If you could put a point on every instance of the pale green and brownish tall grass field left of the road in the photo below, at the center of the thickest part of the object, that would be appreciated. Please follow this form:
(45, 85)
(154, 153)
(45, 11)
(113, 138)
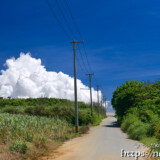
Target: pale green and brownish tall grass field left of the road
(21, 133)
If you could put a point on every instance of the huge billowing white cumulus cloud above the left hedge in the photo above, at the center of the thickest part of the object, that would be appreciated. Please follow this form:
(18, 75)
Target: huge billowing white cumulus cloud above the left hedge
(26, 77)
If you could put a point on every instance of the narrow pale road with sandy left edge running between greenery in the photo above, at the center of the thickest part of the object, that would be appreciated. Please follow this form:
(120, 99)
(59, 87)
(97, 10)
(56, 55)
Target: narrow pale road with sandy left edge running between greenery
(103, 142)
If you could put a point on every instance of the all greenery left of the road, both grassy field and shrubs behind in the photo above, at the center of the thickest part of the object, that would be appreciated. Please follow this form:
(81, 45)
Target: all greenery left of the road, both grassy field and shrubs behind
(30, 126)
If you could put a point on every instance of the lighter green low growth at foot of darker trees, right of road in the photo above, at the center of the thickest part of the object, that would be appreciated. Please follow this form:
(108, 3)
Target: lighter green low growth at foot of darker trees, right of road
(146, 133)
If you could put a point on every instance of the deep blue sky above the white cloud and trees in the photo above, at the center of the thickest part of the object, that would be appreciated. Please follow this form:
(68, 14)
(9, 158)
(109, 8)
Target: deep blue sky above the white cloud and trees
(122, 37)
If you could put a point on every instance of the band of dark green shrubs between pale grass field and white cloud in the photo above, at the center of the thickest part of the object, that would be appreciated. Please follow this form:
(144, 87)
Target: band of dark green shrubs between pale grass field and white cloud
(51, 107)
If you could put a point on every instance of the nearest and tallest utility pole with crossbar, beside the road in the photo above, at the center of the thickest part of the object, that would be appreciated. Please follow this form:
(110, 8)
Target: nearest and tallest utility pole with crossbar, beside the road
(74, 42)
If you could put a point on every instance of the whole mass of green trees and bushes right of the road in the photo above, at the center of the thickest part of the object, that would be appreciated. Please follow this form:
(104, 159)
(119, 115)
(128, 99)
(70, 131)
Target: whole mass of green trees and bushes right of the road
(137, 107)
